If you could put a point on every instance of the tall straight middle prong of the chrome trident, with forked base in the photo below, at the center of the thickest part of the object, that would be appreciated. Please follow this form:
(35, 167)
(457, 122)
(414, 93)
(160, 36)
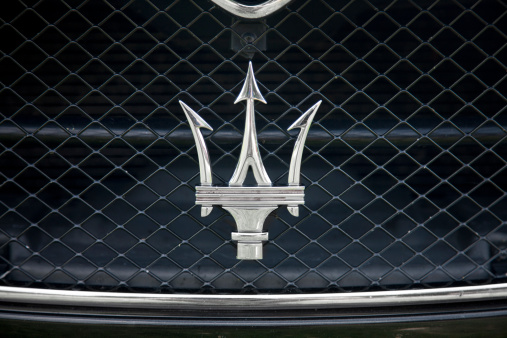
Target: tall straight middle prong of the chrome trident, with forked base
(250, 155)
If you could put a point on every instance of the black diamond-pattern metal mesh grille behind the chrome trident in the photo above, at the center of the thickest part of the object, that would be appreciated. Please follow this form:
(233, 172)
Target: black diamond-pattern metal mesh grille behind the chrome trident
(405, 165)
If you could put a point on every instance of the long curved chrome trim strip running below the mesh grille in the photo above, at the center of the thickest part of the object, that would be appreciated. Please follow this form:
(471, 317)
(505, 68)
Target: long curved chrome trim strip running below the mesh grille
(252, 302)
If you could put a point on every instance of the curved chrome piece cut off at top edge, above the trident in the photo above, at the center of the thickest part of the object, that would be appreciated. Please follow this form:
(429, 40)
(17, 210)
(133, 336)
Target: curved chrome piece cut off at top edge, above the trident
(251, 12)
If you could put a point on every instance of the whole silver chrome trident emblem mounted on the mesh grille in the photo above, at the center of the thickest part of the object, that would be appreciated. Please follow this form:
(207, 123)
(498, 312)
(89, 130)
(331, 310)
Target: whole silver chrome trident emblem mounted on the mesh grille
(249, 205)
